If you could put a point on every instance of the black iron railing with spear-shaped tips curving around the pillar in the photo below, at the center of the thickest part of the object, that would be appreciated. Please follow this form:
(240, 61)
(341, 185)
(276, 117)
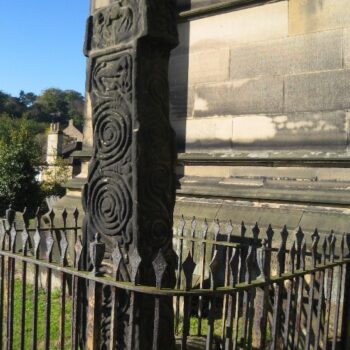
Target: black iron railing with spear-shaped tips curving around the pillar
(234, 290)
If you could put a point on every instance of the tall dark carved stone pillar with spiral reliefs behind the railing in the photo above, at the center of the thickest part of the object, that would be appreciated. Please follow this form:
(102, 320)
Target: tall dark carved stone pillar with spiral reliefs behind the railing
(130, 194)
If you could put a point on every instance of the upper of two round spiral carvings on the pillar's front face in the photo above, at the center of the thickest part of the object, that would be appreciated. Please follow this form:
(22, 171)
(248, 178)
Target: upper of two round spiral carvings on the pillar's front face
(112, 132)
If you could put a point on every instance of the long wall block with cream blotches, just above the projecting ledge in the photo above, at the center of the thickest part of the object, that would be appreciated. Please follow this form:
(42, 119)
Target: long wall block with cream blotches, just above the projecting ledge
(319, 129)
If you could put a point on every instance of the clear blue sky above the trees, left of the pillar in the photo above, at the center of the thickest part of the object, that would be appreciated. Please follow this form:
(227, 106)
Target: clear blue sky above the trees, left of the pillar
(41, 43)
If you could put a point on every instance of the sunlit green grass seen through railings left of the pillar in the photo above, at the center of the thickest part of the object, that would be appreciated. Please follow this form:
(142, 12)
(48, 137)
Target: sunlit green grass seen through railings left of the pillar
(55, 318)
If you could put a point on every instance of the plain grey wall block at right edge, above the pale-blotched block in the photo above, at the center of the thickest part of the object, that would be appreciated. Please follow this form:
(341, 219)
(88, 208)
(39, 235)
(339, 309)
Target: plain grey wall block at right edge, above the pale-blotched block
(318, 91)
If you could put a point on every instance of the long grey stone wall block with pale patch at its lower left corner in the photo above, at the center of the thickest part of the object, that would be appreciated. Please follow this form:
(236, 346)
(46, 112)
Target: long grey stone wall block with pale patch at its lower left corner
(245, 96)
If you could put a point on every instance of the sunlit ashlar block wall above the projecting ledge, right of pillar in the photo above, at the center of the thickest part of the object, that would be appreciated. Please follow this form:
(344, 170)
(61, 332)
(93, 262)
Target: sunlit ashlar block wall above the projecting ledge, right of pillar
(272, 76)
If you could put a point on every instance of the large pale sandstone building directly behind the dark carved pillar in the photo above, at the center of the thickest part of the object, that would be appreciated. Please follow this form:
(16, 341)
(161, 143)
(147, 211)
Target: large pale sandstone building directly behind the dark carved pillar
(260, 99)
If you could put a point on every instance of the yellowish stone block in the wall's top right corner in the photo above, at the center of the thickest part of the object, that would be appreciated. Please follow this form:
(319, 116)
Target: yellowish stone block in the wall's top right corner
(307, 16)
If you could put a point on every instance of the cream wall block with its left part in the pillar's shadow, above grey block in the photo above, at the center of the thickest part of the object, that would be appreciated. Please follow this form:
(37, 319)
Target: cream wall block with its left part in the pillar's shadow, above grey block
(200, 67)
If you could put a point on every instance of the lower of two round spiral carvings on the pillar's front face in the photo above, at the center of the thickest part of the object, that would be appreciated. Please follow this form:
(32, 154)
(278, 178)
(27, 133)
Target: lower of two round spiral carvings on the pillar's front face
(110, 204)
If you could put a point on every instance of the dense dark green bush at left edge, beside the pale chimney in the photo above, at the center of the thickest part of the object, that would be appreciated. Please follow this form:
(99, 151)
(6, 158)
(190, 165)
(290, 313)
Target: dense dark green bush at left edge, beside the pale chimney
(19, 166)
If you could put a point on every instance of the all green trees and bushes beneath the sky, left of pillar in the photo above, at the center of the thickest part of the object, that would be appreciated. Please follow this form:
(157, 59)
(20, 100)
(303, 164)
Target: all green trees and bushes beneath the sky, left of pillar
(23, 124)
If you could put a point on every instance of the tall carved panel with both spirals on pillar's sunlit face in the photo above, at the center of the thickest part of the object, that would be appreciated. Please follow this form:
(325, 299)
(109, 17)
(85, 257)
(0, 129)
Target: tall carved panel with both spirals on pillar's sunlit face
(108, 194)
